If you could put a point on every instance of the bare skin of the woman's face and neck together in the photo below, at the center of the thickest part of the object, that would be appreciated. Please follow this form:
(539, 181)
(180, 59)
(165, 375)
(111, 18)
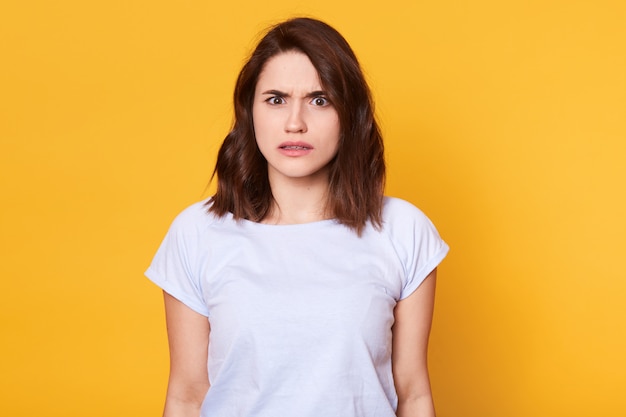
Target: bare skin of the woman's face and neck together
(290, 107)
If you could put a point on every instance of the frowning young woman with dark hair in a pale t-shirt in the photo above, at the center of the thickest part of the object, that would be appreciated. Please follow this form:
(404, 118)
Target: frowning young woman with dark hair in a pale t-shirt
(298, 289)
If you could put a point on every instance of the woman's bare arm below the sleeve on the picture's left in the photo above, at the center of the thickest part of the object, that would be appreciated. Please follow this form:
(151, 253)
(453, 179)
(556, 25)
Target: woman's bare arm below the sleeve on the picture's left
(188, 335)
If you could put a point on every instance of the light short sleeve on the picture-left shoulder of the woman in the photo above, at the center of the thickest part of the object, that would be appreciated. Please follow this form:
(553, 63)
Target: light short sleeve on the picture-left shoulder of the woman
(174, 267)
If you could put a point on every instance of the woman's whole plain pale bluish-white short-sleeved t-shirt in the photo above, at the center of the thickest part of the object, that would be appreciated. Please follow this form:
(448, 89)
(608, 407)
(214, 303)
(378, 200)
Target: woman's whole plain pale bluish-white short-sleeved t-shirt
(300, 314)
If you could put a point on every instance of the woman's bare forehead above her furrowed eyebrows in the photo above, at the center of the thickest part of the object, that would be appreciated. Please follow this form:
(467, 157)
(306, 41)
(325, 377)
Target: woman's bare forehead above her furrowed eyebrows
(289, 70)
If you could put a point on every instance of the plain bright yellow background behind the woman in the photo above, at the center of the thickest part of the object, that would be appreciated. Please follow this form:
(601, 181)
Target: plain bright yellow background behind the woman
(504, 121)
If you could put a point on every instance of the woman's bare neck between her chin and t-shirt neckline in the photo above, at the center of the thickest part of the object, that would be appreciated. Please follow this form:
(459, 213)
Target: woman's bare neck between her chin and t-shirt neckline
(299, 200)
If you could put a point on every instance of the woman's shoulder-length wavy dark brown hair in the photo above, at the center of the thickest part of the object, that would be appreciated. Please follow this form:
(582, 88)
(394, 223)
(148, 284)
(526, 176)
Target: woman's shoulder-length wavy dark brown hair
(356, 174)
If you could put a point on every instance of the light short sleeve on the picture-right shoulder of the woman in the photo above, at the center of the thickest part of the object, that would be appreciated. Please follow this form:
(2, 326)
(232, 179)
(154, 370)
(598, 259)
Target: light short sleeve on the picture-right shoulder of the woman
(417, 243)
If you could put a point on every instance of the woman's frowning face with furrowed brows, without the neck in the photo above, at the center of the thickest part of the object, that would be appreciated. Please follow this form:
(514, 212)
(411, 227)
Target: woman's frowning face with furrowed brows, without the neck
(296, 126)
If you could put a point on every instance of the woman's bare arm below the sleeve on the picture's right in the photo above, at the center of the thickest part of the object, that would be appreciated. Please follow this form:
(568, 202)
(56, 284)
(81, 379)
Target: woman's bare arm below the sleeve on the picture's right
(413, 317)
